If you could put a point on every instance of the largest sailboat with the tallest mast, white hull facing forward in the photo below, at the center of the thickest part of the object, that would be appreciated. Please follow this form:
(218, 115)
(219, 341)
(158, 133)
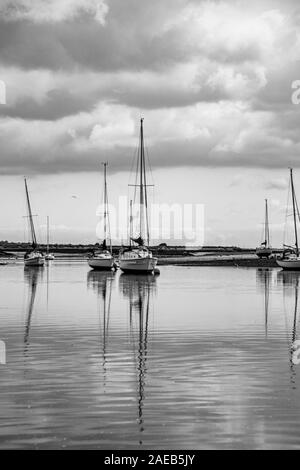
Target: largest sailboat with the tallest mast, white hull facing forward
(139, 258)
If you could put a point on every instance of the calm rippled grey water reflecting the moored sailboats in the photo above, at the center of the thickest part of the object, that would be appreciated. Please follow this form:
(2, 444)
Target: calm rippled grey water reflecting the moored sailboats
(194, 358)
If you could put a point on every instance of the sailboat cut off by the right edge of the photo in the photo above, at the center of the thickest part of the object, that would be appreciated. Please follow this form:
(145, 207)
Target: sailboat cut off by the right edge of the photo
(290, 258)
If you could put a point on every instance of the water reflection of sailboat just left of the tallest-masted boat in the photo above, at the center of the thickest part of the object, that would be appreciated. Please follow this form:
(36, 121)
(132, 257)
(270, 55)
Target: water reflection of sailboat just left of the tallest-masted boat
(101, 283)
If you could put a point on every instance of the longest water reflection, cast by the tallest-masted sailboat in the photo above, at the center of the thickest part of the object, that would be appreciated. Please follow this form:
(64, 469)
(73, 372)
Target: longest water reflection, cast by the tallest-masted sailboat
(138, 289)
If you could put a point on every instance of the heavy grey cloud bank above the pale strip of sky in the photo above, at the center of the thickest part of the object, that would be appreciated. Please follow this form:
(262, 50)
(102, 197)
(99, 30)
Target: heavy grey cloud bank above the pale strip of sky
(213, 79)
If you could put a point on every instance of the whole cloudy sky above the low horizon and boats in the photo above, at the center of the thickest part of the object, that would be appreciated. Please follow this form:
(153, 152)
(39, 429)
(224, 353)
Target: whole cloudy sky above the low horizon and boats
(213, 81)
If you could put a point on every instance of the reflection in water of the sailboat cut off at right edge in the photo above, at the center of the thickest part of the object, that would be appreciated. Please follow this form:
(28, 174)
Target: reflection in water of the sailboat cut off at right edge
(291, 279)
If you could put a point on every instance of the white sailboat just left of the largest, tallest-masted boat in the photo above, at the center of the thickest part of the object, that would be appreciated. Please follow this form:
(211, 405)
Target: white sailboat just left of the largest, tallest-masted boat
(103, 258)
